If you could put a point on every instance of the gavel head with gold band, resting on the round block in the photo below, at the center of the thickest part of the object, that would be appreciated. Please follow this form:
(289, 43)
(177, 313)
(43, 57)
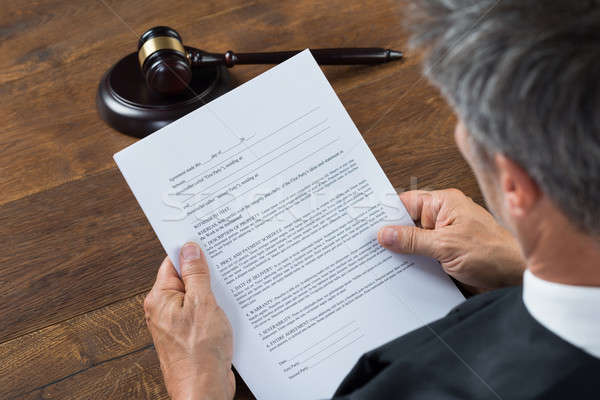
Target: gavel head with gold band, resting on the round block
(164, 61)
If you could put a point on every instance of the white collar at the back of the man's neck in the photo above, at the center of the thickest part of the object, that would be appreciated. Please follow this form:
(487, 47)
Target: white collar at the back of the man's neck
(570, 312)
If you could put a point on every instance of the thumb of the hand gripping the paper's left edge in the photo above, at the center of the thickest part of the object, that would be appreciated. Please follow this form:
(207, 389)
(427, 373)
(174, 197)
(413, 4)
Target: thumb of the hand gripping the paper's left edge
(194, 269)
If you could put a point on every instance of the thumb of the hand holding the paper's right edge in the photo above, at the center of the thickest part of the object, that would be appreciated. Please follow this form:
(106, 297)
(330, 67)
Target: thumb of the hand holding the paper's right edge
(409, 240)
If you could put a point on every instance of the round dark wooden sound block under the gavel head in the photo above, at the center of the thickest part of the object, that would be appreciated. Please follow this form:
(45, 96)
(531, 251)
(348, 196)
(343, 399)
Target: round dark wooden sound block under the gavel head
(128, 105)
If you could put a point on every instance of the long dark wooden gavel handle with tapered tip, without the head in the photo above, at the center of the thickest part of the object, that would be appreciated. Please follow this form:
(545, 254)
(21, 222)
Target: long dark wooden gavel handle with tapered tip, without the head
(339, 56)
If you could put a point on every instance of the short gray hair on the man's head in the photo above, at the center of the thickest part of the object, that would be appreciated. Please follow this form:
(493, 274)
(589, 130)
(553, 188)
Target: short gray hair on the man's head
(524, 76)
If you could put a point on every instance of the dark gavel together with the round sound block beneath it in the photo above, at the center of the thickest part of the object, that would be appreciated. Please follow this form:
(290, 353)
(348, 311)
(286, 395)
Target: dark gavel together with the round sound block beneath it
(176, 79)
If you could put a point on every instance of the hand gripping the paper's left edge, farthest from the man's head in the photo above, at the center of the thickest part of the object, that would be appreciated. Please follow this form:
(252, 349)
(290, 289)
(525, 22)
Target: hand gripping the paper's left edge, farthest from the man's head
(191, 333)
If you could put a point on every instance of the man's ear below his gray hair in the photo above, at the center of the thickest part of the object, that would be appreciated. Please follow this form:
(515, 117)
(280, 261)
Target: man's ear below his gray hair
(520, 192)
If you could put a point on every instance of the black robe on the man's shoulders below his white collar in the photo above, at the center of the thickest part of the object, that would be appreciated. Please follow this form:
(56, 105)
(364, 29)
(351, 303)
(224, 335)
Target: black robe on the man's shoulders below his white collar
(489, 347)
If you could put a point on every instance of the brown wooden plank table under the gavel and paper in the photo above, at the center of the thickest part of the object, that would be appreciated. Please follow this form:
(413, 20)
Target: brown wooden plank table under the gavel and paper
(77, 255)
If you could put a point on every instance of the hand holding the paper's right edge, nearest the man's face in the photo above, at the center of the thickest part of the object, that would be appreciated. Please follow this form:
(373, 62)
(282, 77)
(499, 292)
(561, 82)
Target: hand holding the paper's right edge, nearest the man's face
(471, 246)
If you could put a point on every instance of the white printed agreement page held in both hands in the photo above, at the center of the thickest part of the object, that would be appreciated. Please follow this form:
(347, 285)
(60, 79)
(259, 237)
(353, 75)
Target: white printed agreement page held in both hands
(275, 182)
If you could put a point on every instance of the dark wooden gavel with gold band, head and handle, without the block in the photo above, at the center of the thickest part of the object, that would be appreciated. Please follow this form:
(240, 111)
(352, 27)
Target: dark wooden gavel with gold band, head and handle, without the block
(167, 64)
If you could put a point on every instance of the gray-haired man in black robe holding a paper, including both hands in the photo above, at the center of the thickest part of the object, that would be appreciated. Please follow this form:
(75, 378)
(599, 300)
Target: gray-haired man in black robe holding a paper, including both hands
(524, 81)
